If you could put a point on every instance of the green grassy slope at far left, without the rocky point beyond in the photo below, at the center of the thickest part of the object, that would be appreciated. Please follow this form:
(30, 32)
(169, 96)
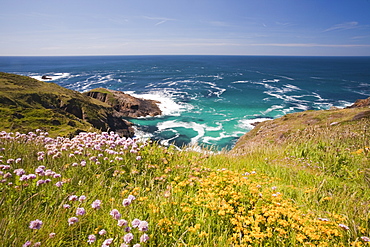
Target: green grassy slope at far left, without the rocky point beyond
(27, 104)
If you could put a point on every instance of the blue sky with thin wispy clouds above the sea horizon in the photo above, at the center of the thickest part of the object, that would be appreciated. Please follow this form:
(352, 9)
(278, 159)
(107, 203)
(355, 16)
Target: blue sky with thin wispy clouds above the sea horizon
(191, 27)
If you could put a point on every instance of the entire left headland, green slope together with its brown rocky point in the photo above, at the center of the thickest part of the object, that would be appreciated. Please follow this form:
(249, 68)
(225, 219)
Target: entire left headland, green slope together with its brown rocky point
(27, 104)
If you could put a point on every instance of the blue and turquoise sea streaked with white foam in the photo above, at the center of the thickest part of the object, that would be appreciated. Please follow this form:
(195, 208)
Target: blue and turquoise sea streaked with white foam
(209, 100)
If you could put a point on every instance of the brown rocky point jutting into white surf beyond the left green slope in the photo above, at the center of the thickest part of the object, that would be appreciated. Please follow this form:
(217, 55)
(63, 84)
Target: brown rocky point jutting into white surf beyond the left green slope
(125, 104)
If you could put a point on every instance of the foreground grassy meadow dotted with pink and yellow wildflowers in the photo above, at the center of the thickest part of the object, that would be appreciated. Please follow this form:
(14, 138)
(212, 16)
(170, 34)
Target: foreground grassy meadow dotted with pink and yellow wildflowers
(99, 189)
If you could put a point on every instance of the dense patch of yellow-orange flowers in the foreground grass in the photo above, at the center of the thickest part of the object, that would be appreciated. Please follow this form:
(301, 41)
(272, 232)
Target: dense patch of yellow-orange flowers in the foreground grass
(257, 213)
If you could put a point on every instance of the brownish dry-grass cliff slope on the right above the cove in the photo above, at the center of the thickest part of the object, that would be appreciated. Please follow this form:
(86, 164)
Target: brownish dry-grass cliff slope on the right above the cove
(284, 130)
